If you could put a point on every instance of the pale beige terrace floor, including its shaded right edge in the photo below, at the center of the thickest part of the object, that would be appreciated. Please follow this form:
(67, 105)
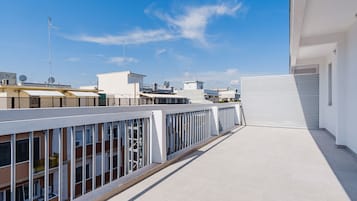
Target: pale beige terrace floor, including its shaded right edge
(257, 163)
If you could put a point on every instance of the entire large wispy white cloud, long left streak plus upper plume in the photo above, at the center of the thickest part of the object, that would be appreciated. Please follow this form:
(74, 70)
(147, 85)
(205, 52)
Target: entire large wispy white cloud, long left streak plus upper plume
(190, 24)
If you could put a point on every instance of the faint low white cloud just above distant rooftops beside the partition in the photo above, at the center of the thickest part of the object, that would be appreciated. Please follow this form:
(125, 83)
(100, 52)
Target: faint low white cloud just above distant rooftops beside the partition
(213, 79)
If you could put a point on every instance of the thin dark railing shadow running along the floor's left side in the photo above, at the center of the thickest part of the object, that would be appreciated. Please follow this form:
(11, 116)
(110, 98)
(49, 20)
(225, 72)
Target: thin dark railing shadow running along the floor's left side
(192, 157)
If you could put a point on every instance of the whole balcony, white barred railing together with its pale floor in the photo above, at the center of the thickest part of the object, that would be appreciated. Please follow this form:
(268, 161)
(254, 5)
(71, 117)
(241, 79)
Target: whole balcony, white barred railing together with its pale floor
(165, 148)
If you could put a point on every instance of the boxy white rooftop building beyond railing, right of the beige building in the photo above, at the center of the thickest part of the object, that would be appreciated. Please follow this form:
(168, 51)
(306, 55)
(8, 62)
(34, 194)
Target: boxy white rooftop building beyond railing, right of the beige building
(121, 84)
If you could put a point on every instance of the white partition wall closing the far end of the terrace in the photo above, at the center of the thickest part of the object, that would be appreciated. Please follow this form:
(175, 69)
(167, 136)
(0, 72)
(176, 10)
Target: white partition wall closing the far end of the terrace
(281, 101)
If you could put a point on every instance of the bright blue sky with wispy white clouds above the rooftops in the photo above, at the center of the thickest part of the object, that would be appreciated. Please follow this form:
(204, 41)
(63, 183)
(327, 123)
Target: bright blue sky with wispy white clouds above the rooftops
(215, 41)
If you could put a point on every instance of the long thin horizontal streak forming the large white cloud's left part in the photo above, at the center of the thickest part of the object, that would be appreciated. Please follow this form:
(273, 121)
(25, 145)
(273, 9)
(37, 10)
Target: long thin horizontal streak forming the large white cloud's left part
(134, 37)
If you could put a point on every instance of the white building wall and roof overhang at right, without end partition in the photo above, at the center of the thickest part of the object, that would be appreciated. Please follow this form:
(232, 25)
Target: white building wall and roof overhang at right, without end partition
(324, 34)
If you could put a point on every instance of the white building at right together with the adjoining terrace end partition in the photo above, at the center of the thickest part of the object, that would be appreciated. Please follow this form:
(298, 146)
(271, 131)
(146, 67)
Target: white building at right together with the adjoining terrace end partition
(321, 91)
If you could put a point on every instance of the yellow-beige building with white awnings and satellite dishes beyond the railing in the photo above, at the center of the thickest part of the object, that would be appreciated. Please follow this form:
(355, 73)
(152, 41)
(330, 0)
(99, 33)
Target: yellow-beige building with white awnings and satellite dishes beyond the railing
(39, 95)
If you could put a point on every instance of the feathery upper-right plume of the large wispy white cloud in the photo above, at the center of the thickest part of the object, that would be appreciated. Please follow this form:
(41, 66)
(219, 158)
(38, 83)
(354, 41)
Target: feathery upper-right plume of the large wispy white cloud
(193, 22)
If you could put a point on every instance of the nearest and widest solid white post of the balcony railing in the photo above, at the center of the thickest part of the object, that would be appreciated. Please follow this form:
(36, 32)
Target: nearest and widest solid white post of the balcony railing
(158, 136)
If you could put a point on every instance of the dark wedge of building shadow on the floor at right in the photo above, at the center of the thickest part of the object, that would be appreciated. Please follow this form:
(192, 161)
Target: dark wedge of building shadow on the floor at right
(341, 160)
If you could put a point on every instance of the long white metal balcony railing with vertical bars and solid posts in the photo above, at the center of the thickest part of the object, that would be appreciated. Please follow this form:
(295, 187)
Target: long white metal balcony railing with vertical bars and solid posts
(92, 149)
